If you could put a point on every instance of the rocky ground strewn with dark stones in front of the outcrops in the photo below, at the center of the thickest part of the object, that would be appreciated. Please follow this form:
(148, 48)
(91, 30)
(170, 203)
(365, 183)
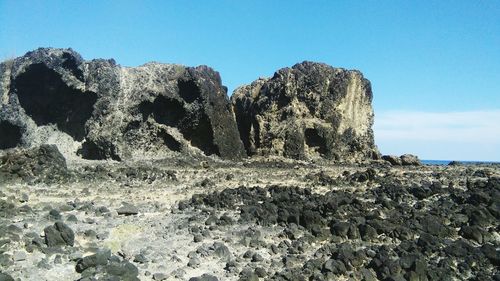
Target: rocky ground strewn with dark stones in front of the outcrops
(206, 219)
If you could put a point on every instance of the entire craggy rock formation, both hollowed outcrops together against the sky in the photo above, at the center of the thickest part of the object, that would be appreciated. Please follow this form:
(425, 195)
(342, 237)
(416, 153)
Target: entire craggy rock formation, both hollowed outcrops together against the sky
(100, 110)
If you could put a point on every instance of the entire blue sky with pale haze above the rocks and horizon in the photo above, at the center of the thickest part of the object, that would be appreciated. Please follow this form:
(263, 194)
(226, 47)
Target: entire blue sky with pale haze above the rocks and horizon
(434, 65)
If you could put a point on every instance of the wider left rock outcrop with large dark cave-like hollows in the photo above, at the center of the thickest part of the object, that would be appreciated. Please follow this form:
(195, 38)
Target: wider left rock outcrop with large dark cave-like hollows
(100, 110)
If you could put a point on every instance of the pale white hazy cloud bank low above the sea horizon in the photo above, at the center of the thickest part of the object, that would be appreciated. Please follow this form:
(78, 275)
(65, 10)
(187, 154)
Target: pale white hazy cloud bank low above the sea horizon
(469, 135)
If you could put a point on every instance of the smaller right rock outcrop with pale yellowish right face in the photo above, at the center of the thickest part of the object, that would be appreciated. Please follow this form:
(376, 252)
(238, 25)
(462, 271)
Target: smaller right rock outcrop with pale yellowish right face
(308, 111)
